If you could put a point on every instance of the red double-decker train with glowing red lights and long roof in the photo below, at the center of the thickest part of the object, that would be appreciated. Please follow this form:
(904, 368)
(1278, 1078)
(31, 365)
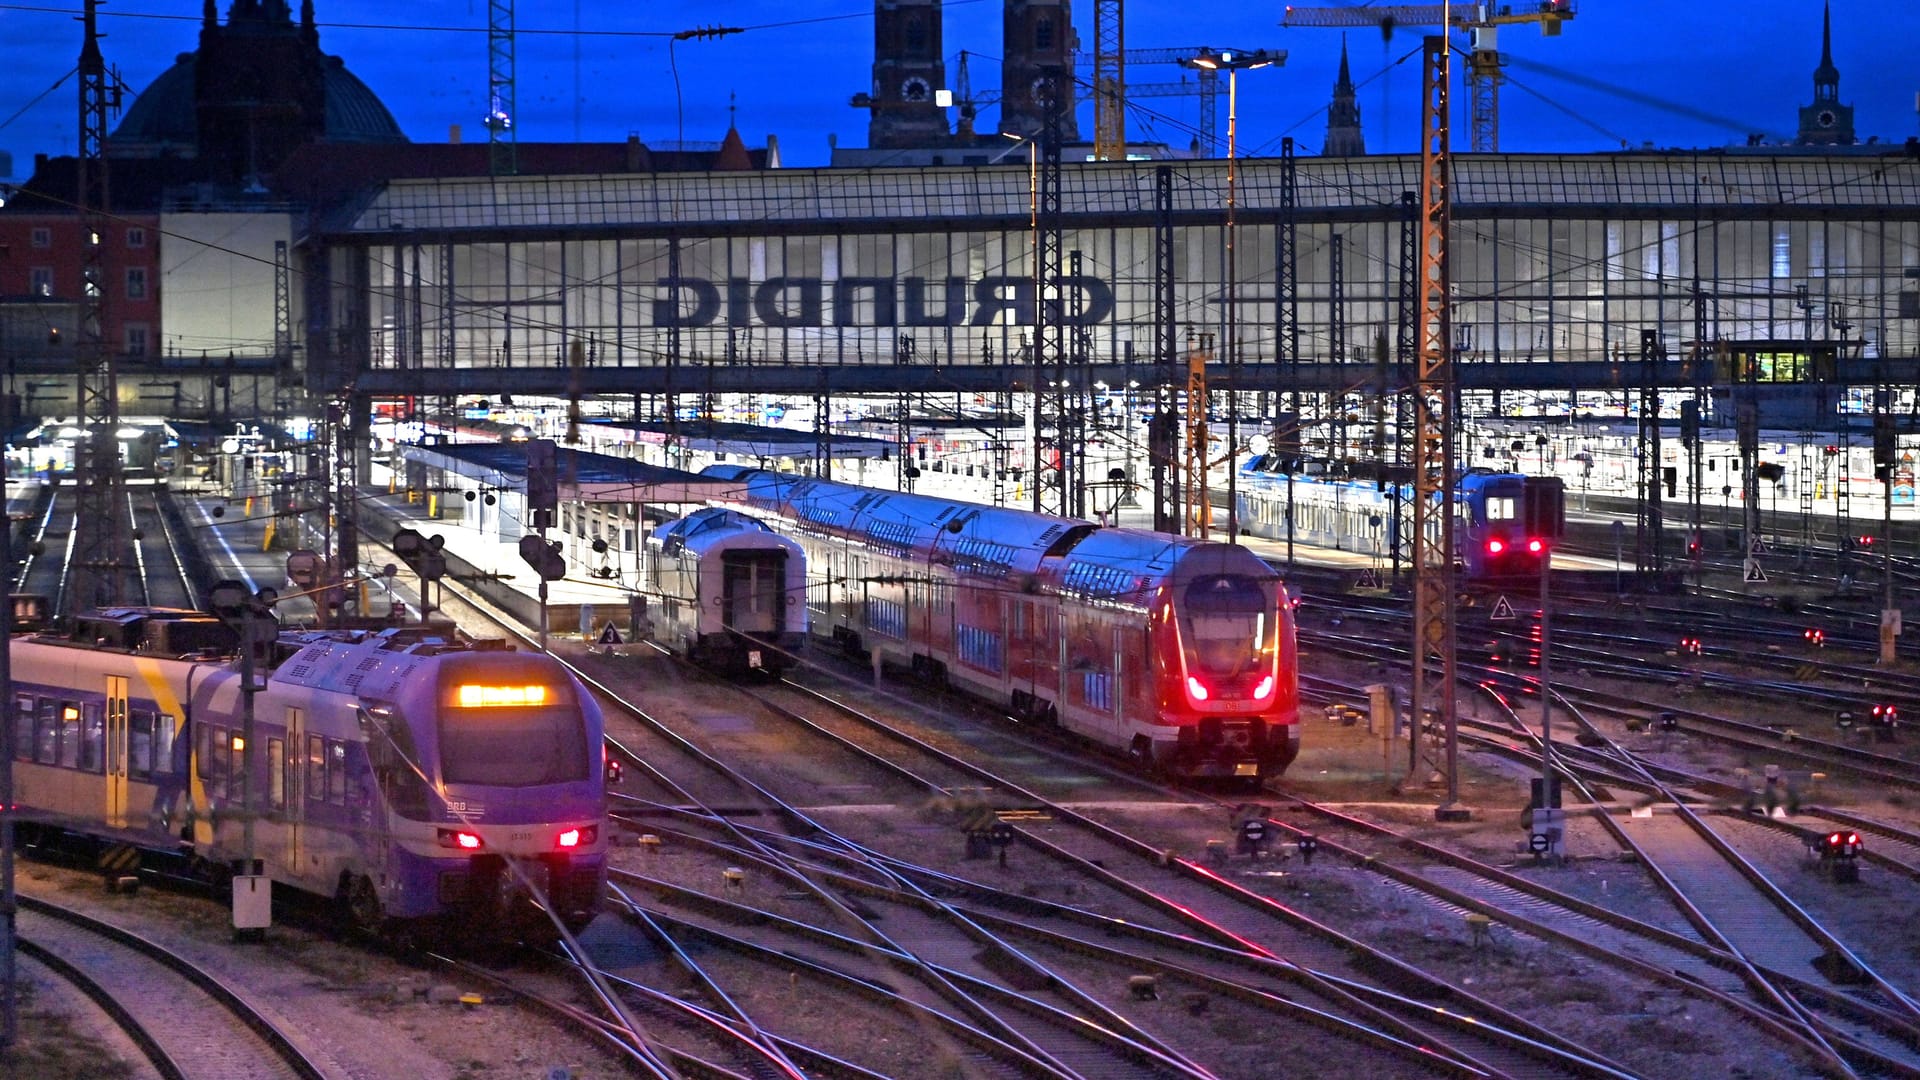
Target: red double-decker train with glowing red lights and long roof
(1174, 652)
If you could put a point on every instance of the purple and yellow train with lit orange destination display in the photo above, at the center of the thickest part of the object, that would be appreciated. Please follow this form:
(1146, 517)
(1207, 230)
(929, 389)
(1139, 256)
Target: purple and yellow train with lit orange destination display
(418, 783)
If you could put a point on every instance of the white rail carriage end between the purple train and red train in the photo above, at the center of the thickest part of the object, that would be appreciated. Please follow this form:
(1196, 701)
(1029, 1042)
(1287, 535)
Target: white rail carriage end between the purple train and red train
(727, 591)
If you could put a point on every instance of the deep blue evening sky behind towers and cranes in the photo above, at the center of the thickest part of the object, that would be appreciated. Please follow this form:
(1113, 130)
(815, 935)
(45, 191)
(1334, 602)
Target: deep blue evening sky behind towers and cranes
(1750, 64)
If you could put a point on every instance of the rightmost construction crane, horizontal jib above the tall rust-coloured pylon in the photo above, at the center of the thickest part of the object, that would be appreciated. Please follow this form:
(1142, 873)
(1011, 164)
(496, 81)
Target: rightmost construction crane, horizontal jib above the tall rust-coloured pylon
(1483, 53)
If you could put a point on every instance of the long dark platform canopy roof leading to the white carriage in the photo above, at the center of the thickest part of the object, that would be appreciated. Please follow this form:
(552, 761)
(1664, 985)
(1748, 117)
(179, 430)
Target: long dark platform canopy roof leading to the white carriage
(583, 476)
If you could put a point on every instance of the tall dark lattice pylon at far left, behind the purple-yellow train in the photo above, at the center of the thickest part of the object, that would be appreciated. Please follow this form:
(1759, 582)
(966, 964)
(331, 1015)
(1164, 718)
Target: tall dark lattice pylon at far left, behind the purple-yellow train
(99, 568)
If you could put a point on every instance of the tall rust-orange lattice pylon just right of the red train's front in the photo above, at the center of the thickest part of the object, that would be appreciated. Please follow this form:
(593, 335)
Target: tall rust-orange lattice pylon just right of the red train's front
(1433, 739)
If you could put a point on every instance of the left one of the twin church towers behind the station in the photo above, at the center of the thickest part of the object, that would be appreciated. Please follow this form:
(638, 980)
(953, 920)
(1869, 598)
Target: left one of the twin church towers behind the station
(907, 72)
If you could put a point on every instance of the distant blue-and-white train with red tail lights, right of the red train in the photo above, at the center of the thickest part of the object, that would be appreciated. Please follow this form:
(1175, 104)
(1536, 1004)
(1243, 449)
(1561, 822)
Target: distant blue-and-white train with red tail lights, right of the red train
(1491, 533)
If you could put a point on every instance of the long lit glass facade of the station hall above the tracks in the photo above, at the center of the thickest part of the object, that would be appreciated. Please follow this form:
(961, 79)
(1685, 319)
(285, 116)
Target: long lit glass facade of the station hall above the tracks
(1552, 258)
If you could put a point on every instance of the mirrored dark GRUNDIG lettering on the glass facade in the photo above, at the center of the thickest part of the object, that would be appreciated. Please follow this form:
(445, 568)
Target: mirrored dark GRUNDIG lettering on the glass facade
(875, 303)
